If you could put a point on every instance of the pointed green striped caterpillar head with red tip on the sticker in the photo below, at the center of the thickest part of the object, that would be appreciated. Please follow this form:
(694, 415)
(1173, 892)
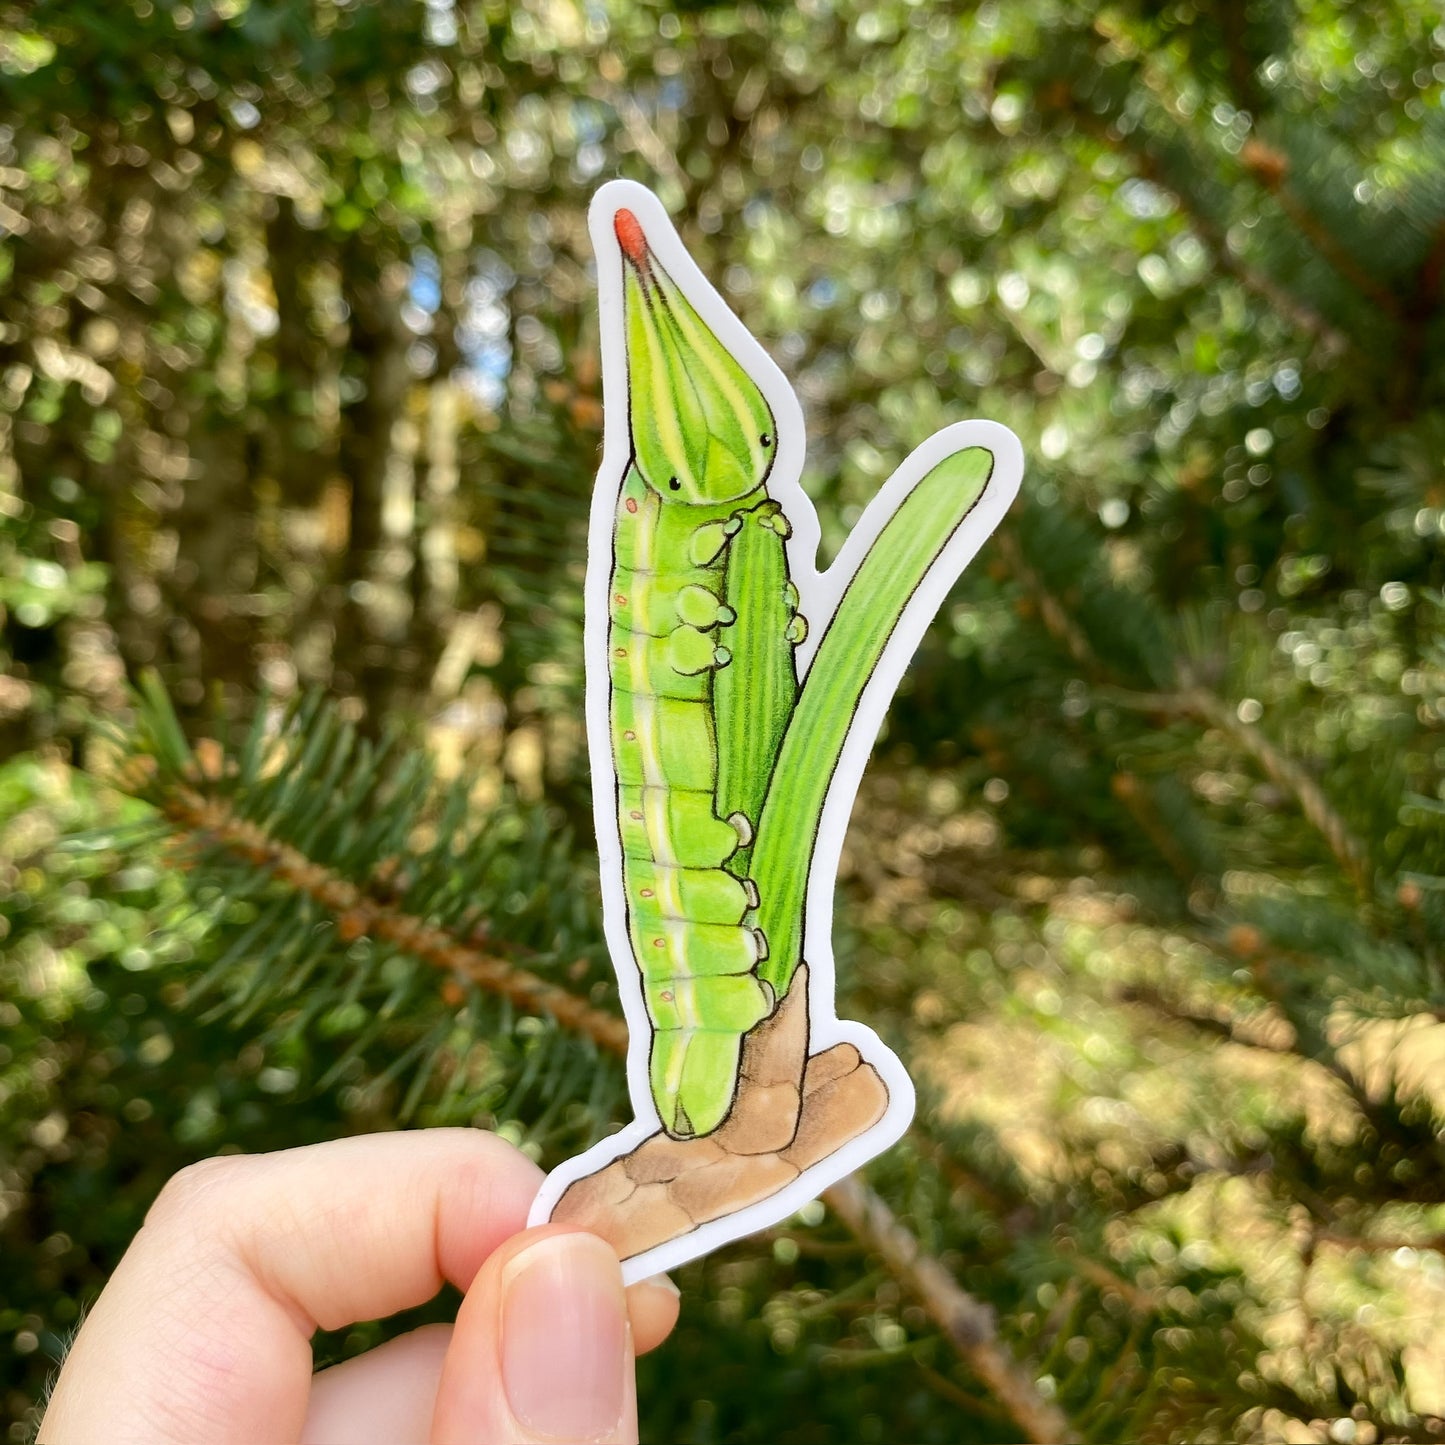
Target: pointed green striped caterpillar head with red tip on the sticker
(702, 430)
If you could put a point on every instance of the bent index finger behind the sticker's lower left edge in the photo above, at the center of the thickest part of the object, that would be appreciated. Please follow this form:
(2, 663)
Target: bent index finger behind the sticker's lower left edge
(204, 1330)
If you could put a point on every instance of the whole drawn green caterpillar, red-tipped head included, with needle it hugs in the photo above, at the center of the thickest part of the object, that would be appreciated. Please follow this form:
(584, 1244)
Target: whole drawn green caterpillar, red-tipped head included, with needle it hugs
(703, 622)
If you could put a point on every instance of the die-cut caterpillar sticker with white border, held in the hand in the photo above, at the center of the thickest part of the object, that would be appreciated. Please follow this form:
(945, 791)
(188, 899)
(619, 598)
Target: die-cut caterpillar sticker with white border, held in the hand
(733, 696)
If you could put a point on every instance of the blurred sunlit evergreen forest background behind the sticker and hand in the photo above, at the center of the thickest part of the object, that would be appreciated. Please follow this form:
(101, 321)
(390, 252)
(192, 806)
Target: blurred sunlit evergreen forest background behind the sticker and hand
(300, 415)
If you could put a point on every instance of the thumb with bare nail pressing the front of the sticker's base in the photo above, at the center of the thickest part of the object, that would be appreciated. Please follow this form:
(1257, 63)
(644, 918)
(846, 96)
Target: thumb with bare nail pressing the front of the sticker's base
(543, 1347)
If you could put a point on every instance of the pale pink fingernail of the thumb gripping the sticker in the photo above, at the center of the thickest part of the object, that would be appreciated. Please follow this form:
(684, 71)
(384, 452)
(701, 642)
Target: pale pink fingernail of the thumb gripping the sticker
(564, 1339)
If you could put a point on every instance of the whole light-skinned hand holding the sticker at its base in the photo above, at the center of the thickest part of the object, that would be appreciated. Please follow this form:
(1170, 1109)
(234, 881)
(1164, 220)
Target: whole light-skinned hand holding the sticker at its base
(204, 1332)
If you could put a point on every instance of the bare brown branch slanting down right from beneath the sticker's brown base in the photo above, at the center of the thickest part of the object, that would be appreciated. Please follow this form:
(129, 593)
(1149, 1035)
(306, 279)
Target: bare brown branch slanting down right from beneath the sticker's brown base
(969, 1324)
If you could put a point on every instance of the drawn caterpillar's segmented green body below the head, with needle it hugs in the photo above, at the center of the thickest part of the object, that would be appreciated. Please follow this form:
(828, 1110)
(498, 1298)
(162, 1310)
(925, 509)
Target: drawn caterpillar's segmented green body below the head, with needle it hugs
(687, 735)
